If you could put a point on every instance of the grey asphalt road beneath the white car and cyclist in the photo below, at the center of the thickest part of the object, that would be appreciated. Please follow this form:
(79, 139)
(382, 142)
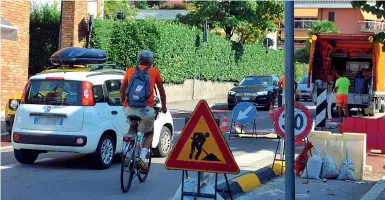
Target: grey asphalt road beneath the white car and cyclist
(69, 176)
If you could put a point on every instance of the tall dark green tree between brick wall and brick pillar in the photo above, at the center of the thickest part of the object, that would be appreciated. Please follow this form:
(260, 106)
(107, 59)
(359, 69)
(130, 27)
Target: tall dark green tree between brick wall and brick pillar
(44, 35)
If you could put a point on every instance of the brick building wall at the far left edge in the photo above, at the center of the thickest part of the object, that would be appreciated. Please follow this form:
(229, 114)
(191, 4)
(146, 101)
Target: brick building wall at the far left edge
(15, 48)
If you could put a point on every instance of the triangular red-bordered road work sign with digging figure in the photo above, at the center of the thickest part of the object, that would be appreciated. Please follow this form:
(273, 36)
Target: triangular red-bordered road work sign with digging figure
(201, 146)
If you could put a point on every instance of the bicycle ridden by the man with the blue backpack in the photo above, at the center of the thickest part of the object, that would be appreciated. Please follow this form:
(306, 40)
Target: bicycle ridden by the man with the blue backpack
(132, 144)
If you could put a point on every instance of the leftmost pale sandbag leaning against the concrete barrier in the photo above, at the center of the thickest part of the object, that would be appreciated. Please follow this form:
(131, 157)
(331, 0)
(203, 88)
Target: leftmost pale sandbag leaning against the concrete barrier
(314, 166)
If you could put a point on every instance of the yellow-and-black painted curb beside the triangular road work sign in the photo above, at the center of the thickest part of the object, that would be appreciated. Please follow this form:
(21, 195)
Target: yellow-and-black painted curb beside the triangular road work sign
(251, 180)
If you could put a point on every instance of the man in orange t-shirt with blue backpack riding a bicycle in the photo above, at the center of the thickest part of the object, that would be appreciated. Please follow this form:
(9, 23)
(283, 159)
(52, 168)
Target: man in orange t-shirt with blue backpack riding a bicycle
(137, 93)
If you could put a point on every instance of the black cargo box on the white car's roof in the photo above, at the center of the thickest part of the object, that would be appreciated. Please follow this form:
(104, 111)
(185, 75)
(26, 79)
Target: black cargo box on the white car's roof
(78, 56)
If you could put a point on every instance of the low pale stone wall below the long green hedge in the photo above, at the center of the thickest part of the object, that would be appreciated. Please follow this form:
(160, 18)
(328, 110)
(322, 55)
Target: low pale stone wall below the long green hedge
(197, 89)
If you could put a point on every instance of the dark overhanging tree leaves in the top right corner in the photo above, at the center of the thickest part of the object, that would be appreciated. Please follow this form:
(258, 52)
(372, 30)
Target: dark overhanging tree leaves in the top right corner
(376, 9)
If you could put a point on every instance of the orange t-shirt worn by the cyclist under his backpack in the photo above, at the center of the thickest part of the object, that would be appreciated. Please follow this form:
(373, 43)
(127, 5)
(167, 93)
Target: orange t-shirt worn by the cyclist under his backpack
(155, 78)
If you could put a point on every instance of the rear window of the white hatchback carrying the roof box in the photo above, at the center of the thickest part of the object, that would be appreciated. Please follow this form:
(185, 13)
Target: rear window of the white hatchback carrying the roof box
(54, 92)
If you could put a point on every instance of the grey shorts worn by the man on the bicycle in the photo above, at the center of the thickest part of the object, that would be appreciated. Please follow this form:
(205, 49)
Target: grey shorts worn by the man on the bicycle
(146, 114)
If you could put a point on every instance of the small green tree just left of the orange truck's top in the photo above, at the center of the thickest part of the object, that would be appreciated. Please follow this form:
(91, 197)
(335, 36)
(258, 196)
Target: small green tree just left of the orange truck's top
(303, 55)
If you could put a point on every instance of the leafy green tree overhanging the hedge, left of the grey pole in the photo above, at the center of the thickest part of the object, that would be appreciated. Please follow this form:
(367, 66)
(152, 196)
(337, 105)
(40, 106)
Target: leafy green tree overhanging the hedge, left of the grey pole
(245, 18)
